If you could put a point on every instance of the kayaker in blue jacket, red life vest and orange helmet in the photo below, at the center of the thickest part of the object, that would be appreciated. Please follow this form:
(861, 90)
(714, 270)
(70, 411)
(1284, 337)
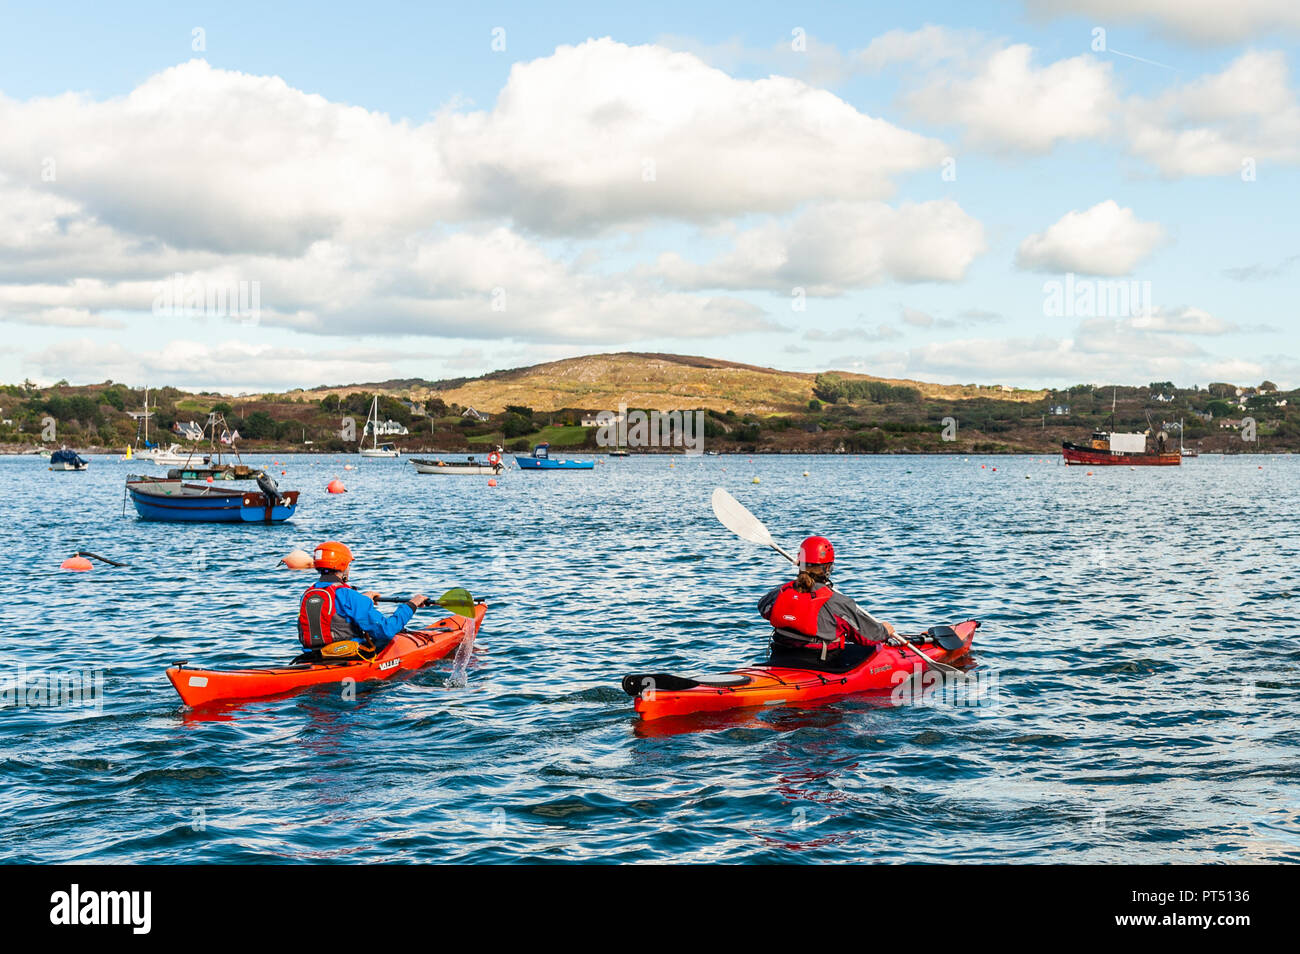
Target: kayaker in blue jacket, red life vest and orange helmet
(333, 612)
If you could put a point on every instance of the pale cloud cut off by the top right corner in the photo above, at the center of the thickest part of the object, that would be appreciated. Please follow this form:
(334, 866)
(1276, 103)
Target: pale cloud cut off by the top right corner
(1202, 21)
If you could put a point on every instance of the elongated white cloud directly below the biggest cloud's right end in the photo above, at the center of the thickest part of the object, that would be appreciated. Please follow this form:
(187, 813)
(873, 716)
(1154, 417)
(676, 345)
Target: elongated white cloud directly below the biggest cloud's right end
(834, 248)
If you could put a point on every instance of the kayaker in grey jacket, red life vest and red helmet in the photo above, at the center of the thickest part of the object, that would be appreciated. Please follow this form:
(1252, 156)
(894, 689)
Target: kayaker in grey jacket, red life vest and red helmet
(813, 626)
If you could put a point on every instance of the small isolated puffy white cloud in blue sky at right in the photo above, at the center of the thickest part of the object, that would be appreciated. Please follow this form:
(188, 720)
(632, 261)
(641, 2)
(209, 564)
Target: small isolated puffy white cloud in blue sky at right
(1103, 241)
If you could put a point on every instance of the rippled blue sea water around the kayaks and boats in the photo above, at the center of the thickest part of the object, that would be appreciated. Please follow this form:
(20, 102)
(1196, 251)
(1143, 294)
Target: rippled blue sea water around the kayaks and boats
(1142, 627)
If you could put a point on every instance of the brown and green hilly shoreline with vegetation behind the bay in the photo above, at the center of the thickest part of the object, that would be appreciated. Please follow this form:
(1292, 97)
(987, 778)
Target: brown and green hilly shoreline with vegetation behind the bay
(744, 407)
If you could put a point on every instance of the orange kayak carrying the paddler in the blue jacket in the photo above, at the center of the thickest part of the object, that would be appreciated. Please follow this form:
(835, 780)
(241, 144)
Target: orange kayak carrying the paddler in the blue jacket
(409, 651)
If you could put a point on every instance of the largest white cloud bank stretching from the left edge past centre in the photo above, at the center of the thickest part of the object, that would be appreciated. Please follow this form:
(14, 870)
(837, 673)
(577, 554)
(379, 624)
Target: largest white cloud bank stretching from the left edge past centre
(203, 158)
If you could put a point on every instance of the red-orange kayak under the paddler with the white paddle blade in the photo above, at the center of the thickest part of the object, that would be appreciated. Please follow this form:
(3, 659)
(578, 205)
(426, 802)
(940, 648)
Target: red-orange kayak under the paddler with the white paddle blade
(662, 695)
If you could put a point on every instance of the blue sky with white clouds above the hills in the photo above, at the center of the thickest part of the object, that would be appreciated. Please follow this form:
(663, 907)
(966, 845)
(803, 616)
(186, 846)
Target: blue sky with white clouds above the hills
(1047, 193)
